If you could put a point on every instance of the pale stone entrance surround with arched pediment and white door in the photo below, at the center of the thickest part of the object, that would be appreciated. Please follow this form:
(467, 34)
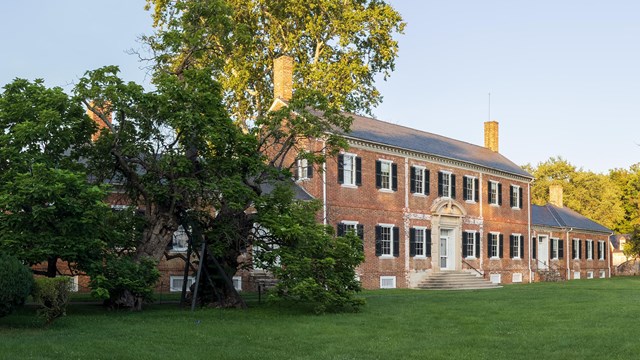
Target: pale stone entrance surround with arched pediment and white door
(446, 222)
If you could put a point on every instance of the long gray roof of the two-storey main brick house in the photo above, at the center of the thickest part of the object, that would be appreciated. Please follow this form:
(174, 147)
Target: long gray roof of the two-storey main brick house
(381, 132)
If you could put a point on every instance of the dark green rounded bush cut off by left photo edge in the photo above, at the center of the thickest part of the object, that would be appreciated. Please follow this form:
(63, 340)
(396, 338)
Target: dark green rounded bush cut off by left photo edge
(16, 282)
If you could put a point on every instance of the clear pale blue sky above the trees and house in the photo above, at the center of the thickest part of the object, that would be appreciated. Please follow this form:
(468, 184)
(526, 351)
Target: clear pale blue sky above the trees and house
(564, 76)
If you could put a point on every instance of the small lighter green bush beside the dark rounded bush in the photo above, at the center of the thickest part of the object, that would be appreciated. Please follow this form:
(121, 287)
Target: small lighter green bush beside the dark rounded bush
(52, 294)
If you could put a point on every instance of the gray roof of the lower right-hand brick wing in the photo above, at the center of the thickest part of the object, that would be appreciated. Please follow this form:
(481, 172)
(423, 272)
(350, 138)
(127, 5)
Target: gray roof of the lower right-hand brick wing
(550, 215)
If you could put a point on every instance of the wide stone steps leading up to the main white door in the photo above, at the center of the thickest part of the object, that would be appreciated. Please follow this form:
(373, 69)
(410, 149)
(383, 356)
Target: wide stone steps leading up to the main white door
(455, 280)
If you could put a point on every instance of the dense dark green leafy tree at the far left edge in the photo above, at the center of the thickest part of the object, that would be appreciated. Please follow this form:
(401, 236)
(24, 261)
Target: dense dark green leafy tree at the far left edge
(46, 203)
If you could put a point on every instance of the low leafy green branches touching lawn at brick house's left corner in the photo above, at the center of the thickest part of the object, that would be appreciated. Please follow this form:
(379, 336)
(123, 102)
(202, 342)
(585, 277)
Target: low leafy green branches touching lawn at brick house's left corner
(311, 265)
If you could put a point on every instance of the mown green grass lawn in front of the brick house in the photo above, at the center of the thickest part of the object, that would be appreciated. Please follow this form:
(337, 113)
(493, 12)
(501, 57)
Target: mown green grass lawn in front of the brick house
(582, 319)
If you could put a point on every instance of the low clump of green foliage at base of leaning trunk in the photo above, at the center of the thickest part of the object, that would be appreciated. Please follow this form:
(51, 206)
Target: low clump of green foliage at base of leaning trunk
(122, 276)
